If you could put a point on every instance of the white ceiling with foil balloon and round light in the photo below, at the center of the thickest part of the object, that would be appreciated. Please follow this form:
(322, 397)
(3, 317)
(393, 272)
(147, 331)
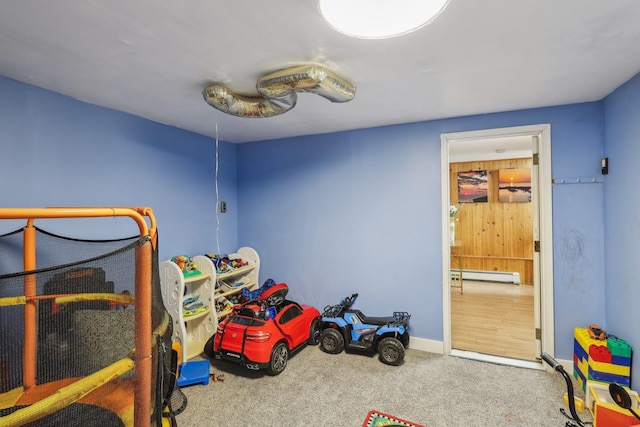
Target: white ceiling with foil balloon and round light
(153, 58)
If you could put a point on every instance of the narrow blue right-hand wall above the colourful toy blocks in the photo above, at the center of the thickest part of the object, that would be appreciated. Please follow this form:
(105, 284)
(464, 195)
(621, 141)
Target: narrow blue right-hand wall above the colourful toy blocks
(622, 213)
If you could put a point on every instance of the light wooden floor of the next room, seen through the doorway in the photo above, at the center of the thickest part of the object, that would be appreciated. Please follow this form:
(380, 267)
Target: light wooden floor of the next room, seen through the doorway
(494, 318)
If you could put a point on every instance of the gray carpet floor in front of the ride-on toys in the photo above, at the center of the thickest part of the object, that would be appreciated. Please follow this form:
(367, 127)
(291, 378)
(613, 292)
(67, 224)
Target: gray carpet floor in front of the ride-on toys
(318, 389)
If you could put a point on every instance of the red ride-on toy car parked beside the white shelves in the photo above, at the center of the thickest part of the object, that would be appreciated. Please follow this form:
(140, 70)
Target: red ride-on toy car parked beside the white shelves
(262, 333)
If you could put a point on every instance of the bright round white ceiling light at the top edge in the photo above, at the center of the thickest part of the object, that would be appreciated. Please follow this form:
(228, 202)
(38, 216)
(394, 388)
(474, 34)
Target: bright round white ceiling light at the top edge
(378, 19)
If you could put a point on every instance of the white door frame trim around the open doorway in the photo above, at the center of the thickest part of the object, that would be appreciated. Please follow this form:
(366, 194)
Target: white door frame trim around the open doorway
(544, 233)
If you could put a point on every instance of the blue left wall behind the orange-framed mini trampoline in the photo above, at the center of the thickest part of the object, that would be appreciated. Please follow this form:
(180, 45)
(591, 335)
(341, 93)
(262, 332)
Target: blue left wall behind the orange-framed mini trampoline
(57, 151)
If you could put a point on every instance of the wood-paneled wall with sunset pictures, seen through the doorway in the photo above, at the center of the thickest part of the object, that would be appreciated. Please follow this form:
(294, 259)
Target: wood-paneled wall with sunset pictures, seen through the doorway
(495, 236)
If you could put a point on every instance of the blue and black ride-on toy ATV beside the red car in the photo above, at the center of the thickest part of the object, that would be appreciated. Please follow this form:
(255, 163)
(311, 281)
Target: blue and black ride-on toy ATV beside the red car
(344, 328)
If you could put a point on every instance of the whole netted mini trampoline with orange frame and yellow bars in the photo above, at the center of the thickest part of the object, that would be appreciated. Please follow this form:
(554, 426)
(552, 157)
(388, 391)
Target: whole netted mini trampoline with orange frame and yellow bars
(84, 336)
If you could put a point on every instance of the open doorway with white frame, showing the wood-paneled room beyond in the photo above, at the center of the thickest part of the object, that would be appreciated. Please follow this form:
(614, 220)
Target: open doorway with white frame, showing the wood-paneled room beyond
(520, 230)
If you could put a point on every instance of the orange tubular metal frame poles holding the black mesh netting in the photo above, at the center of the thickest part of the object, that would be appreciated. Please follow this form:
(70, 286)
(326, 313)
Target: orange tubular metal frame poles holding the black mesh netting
(143, 342)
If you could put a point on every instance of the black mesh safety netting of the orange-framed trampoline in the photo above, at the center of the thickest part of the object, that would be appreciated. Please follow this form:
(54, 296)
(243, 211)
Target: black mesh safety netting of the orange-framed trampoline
(76, 337)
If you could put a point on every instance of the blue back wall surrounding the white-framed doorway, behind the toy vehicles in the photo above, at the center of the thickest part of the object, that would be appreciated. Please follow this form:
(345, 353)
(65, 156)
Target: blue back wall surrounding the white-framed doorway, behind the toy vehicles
(360, 212)
